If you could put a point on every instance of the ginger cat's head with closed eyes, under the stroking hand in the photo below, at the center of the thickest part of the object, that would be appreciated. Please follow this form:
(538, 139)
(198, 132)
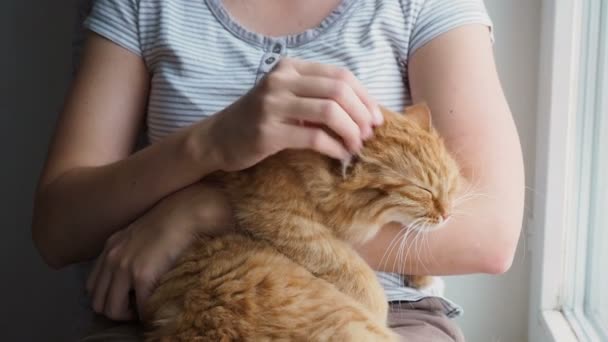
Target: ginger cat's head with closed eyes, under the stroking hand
(403, 174)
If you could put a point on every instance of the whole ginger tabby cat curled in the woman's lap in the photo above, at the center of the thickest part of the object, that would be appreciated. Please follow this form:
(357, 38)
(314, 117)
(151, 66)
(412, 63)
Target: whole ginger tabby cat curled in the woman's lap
(290, 273)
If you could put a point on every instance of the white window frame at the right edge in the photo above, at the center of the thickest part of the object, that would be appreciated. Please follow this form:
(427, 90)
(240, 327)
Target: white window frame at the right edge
(568, 57)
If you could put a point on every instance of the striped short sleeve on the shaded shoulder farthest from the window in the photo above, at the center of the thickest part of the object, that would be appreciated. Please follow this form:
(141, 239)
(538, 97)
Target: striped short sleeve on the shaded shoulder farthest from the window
(116, 20)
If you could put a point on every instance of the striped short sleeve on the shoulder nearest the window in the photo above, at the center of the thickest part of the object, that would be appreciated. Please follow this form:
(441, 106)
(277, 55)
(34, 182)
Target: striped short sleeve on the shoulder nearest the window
(440, 16)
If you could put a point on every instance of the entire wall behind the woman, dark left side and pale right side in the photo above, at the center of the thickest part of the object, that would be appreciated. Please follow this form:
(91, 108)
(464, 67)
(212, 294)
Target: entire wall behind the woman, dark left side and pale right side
(42, 305)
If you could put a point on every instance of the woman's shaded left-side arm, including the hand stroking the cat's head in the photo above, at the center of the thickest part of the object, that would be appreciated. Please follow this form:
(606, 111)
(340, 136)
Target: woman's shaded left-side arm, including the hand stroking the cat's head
(92, 186)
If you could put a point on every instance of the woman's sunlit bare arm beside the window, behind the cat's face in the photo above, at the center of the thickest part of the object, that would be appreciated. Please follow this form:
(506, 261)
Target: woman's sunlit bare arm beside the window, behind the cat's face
(456, 75)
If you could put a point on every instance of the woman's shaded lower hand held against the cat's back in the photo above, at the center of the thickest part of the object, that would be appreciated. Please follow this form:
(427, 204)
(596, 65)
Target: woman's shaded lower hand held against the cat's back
(134, 259)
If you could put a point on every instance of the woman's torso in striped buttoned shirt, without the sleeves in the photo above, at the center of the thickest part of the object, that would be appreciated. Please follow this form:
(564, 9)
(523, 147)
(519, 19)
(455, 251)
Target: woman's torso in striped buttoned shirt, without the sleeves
(201, 60)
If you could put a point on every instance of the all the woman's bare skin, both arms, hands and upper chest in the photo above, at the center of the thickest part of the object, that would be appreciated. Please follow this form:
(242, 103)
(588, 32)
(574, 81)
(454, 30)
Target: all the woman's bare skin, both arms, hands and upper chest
(94, 190)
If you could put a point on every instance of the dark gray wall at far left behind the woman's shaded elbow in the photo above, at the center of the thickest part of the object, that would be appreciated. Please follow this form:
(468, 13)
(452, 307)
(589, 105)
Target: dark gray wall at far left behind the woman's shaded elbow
(37, 304)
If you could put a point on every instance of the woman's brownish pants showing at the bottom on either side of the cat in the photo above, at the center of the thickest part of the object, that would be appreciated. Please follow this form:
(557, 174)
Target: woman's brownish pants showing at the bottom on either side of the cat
(421, 321)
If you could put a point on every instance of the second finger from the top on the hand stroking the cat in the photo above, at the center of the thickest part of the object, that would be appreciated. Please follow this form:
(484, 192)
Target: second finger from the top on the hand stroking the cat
(340, 92)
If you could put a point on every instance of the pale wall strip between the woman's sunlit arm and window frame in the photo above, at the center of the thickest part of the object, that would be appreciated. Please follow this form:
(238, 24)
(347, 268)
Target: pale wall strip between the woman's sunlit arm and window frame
(496, 308)
